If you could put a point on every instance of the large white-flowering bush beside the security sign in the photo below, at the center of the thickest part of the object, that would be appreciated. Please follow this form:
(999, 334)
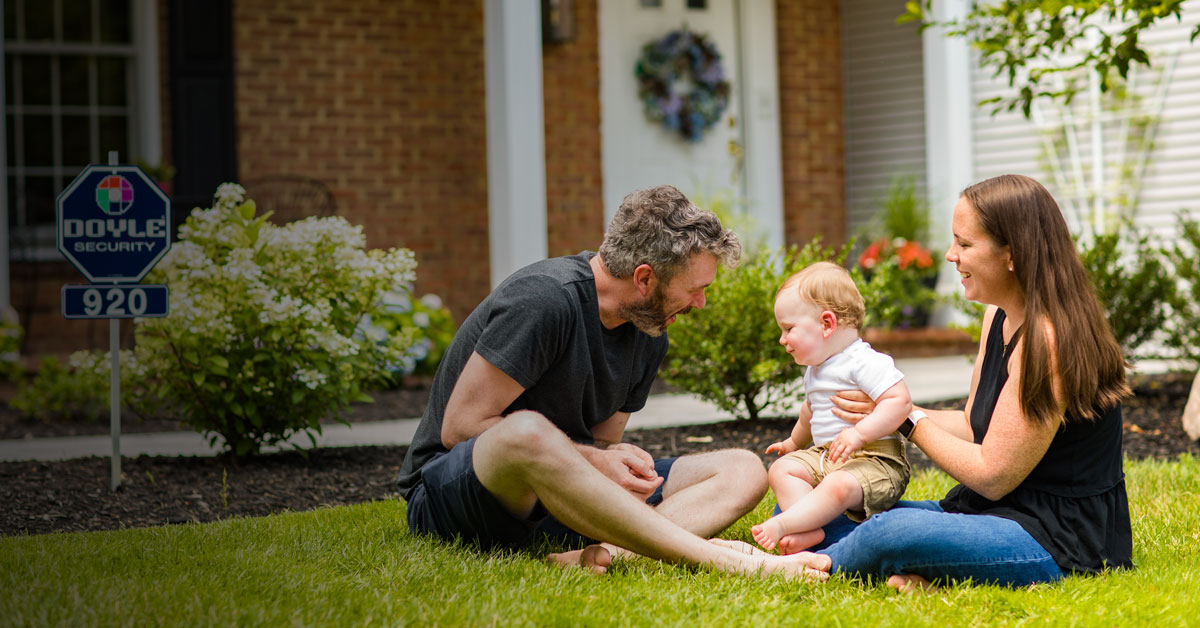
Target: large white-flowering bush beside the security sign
(263, 338)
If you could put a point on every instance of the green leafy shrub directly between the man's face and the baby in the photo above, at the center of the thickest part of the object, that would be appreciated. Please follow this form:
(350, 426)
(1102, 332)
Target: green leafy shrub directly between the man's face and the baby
(729, 352)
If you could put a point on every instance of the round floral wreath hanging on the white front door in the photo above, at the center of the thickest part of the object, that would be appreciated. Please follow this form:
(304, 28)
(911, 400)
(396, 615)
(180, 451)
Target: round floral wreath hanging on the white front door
(667, 61)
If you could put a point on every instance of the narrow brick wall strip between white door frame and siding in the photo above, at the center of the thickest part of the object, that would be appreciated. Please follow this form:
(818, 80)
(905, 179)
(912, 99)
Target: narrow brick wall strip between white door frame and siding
(812, 121)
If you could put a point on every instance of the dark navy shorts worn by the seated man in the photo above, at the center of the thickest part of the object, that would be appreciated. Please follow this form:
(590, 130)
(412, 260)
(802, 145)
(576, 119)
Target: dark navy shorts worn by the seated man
(452, 503)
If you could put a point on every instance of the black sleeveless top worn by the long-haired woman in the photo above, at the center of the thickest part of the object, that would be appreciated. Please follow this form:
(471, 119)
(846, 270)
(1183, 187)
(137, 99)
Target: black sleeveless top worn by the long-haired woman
(1073, 503)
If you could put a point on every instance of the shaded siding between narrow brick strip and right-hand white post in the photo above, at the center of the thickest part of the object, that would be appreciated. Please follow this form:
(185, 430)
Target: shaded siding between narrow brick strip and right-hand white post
(884, 105)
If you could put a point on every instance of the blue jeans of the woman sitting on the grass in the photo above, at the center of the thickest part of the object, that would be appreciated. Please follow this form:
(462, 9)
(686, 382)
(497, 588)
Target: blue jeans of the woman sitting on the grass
(921, 539)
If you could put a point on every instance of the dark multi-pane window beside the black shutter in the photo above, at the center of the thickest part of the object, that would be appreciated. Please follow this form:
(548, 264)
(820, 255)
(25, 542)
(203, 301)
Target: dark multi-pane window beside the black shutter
(70, 98)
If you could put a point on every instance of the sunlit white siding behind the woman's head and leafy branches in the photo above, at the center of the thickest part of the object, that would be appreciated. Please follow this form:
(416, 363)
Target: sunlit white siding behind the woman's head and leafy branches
(1009, 143)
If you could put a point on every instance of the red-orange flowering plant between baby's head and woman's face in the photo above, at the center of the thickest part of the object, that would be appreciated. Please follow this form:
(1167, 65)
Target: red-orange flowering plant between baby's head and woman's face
(899, 277)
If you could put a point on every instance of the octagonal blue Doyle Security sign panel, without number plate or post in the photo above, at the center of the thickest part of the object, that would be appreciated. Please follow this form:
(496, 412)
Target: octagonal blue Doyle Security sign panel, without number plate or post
(113, 224)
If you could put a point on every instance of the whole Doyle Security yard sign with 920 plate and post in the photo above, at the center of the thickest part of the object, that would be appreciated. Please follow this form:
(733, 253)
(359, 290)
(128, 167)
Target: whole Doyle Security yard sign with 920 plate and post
(115, 226)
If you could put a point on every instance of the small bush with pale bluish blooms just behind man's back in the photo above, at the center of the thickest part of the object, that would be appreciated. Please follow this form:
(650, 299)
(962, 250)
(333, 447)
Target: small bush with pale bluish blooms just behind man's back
(428, 320)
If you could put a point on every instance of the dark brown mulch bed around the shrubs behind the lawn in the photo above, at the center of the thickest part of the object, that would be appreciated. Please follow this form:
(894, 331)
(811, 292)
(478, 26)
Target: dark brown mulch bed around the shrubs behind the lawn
(74, 495)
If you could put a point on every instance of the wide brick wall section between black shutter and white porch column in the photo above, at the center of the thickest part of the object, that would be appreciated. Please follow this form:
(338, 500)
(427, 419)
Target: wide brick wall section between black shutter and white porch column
(383, 101)
